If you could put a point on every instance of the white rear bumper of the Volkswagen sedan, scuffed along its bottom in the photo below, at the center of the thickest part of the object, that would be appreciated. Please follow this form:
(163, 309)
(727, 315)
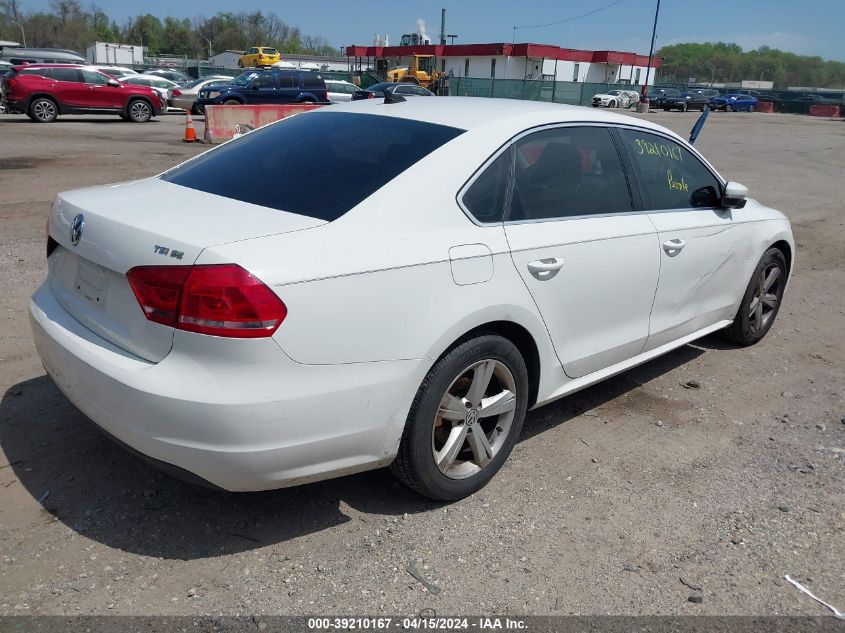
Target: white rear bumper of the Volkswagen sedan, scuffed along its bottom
(238, 414)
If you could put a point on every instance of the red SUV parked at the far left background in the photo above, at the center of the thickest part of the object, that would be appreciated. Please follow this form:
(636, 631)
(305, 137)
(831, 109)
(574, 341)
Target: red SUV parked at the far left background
(44, 91)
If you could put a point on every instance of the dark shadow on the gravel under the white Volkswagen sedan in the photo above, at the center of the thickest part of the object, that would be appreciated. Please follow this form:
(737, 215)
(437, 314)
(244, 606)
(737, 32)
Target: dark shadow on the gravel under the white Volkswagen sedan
(106, 494)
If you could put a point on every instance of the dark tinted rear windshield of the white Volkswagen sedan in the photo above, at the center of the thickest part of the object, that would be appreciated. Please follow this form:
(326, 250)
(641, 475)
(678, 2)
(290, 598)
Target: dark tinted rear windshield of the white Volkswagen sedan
(320, 165)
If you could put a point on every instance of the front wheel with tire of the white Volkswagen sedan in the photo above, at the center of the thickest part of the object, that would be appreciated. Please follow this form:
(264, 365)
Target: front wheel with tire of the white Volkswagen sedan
(761, 302)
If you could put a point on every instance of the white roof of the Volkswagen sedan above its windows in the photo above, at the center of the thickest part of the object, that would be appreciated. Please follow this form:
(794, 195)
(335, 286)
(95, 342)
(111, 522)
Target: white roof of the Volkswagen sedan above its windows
(470, 113)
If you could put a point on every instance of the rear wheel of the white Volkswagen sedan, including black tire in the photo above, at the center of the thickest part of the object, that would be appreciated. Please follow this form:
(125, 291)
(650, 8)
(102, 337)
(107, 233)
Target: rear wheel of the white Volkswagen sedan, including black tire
(444, 456)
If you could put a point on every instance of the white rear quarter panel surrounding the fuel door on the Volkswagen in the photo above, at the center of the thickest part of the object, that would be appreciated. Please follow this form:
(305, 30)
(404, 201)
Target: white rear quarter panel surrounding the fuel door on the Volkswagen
(377, 283)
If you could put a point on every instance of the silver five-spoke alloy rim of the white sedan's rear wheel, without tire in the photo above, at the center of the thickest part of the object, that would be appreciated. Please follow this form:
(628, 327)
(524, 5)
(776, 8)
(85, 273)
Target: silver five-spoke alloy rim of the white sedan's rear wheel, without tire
(474, 419)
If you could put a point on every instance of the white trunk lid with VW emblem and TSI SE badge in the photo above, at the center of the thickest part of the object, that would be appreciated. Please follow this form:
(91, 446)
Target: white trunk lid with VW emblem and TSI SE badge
(103, 232)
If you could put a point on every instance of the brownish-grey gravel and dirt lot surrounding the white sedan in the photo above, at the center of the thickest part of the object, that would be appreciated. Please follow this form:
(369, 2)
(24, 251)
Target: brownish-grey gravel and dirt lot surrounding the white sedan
(611, 497)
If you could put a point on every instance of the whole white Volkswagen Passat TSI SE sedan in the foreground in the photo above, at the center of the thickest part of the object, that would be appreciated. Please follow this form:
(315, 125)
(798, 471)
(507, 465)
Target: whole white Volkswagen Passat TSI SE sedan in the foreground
(255, 335)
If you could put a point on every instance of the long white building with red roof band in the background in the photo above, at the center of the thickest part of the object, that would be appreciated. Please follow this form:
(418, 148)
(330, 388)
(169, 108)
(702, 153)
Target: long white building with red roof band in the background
(514, 61)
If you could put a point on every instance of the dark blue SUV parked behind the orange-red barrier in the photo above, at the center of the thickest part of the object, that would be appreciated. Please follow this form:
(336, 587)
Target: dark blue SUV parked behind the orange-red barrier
(271, 86)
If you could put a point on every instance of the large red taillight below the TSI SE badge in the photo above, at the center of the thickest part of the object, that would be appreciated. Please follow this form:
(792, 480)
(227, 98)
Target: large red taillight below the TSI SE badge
(220, 300)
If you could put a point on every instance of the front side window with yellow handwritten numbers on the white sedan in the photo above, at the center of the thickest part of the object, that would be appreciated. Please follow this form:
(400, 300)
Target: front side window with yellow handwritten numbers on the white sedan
(670, 176)
